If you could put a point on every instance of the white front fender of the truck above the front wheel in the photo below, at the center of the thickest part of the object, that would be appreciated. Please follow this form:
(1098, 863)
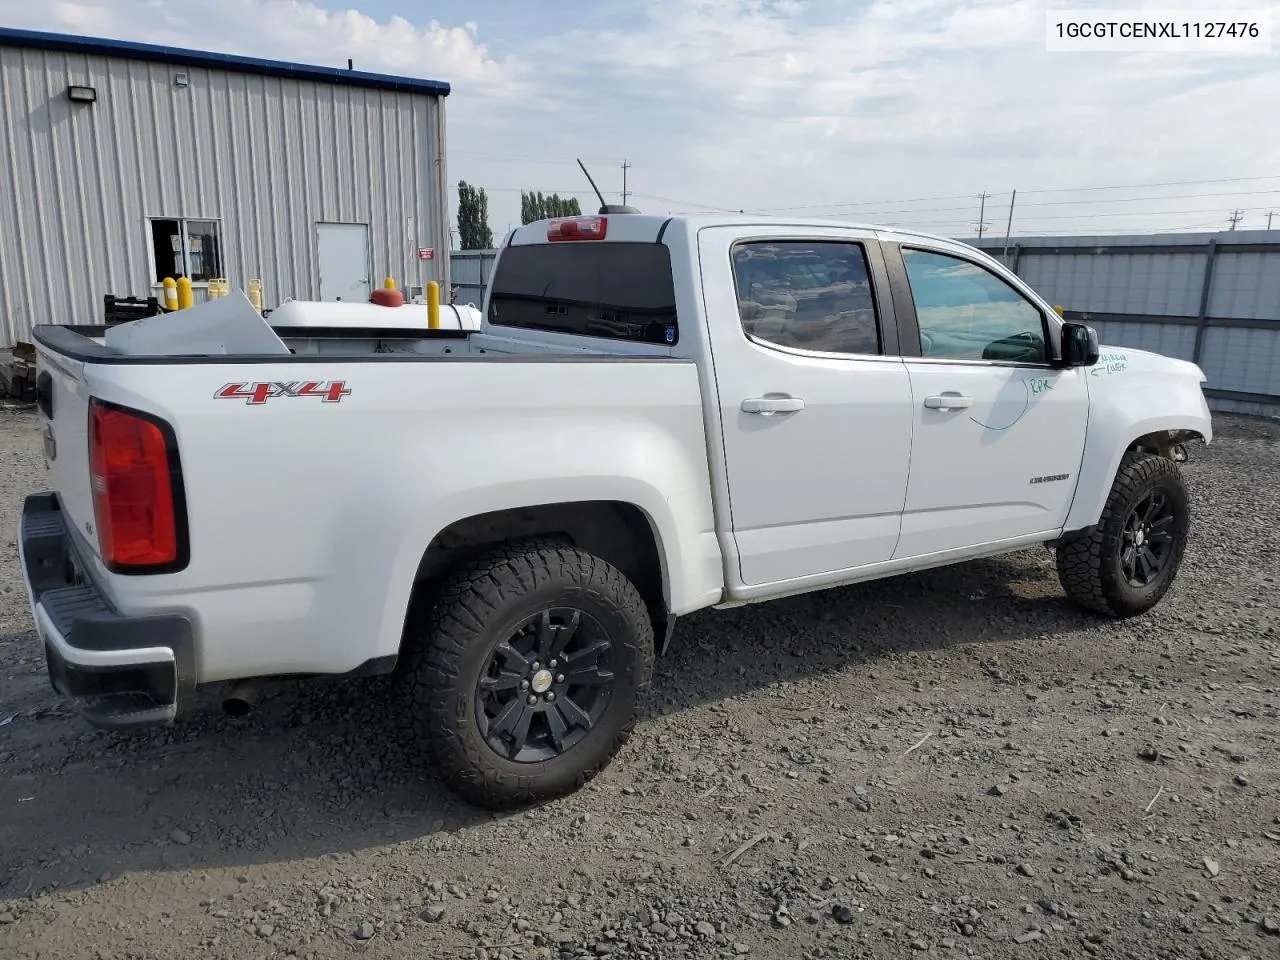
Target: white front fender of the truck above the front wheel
(1132, 394)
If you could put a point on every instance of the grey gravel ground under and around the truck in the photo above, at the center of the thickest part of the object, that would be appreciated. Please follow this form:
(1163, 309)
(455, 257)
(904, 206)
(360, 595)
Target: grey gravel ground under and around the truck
(956, 764)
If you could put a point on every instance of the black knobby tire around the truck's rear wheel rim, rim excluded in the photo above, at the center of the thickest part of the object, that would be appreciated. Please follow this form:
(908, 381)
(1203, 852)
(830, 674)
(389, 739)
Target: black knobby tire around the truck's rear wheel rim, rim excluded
(451, 638)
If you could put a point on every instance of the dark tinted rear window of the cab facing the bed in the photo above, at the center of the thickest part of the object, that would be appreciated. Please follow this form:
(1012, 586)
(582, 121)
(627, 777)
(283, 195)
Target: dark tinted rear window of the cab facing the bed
(610, 290)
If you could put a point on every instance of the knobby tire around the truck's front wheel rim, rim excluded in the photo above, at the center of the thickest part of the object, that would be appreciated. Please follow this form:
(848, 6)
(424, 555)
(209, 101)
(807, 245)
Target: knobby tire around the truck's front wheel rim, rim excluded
(1090, 568)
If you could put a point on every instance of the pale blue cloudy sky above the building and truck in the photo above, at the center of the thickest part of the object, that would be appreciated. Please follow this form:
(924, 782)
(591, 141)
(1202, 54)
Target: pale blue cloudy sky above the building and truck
(895, 112)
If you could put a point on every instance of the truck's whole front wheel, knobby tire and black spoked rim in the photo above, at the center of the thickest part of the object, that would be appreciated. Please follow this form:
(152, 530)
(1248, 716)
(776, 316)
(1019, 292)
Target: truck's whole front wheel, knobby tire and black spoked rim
(1128, 563)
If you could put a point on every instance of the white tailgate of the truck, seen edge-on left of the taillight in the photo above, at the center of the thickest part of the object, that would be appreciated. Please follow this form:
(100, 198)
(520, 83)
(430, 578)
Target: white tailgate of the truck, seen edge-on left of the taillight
(62, 396)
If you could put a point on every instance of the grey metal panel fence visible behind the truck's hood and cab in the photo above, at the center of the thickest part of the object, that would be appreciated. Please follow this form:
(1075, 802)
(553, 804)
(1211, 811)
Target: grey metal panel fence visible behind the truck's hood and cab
(1213, 299)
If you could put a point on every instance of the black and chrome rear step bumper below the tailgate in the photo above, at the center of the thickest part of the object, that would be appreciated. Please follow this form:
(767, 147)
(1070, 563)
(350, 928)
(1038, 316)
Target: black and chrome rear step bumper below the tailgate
(125, 671)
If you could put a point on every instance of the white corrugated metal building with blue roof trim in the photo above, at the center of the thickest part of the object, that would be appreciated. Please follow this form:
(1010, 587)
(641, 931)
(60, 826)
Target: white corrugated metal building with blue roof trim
(122, 164)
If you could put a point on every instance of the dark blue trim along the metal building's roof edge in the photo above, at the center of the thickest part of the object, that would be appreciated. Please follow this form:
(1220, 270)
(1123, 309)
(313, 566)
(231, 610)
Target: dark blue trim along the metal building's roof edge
(95, 47)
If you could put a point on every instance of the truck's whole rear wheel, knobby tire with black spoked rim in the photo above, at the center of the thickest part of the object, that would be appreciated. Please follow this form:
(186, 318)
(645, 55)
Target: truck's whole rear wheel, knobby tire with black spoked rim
(528, 673)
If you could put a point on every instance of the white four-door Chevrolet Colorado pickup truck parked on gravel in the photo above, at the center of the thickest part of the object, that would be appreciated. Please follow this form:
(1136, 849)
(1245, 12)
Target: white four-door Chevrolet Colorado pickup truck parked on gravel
(659, 415)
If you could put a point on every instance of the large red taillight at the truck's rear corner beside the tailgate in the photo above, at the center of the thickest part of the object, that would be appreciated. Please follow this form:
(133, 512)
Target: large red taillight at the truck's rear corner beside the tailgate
(134, 490)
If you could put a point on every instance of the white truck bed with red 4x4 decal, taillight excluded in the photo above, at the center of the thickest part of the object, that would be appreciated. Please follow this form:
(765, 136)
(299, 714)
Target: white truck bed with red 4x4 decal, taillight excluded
(313, 478)
